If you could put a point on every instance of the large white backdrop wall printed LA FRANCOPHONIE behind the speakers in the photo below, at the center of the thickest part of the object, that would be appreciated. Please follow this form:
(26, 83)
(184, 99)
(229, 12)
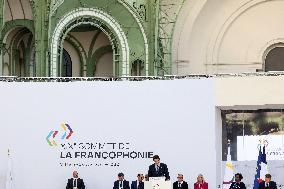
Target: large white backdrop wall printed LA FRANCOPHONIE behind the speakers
(103, 128)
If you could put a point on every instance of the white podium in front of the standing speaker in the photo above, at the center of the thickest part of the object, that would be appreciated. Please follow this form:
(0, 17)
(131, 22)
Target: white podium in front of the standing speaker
(157, 183)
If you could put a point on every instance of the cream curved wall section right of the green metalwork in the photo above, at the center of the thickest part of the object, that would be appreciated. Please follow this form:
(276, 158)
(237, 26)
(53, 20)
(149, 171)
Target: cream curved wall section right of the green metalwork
(212, 38)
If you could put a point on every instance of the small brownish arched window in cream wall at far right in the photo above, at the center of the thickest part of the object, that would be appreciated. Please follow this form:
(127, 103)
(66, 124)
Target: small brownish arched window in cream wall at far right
(274, 60)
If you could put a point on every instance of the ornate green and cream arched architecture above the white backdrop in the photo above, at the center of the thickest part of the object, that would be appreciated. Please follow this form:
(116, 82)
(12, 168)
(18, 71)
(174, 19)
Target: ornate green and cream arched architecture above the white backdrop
(114, 38)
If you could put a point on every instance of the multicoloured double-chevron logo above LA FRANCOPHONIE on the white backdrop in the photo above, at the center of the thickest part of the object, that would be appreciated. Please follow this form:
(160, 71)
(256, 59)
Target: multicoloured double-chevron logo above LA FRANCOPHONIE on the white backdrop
(53, 134)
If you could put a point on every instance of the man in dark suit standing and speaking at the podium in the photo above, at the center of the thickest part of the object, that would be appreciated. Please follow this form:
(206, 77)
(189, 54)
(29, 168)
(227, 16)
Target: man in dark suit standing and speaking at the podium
(158, 169)
